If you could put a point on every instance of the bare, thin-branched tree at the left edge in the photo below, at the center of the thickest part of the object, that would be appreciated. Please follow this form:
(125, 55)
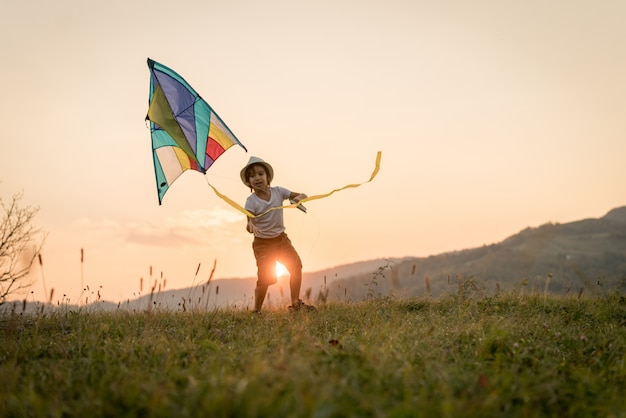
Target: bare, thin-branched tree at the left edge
(18, 245)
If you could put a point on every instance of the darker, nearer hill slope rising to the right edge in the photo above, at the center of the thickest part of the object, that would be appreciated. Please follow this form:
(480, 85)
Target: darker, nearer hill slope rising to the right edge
(584, 256)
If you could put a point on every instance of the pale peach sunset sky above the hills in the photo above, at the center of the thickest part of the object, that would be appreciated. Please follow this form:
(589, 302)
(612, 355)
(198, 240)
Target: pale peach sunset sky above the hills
(491, 117)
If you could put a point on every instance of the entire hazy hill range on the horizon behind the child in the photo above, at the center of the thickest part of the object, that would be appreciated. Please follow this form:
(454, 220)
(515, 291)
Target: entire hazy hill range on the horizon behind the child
(584, 256)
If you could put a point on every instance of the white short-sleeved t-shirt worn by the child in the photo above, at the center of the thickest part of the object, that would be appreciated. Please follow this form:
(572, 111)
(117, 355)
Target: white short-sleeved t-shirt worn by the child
(272, 223)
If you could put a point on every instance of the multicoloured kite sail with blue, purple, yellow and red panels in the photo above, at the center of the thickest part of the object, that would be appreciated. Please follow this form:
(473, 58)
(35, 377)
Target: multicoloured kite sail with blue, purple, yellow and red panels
(186, 132)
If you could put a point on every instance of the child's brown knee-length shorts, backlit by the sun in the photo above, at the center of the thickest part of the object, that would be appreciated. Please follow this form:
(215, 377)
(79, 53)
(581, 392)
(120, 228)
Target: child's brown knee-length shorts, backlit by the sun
(268, 251)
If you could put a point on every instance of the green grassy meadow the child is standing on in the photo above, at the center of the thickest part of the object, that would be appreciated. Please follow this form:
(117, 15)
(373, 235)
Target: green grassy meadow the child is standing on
(507, 355)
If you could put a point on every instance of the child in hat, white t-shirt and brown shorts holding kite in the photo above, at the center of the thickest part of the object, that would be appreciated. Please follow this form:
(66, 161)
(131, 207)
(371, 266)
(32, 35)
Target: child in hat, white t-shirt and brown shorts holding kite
(271, 244)
